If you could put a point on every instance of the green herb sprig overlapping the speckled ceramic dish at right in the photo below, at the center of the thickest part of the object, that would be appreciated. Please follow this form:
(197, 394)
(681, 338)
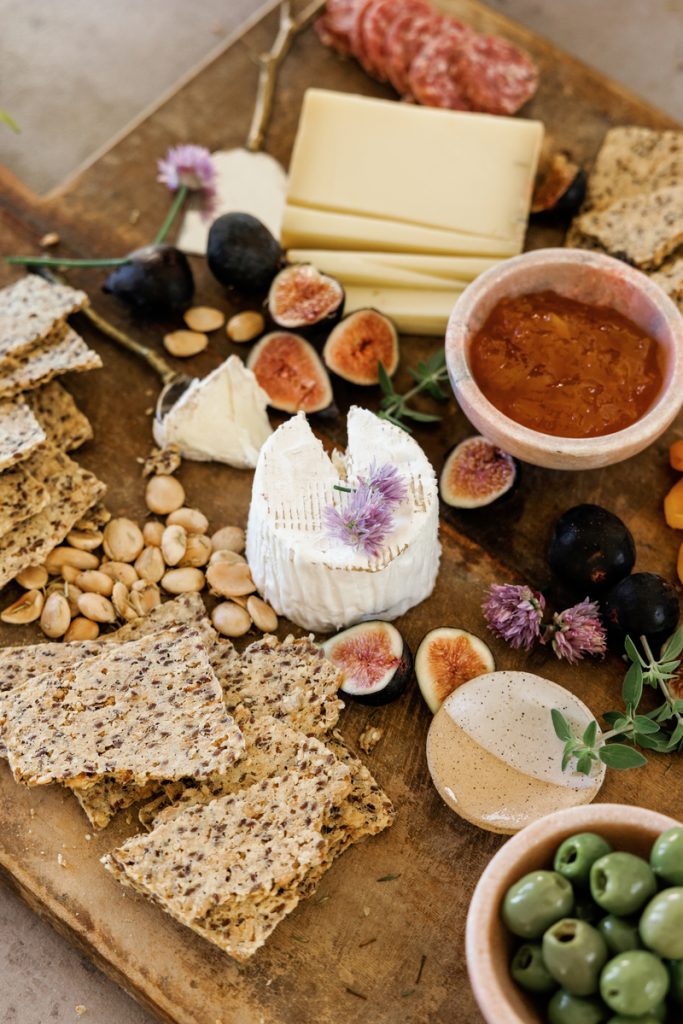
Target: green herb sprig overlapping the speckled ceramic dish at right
(661, 730)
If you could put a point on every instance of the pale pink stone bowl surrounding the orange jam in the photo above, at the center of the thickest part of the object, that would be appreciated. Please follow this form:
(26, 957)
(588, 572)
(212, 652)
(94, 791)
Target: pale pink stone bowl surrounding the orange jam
(587, 277)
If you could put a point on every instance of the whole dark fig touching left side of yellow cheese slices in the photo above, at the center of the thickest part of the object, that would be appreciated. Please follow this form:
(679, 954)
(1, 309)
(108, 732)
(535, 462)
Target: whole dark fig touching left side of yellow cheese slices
(242, 253)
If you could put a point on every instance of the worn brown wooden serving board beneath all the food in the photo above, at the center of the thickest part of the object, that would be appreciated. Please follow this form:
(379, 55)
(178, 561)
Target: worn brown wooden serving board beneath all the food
(354, 953)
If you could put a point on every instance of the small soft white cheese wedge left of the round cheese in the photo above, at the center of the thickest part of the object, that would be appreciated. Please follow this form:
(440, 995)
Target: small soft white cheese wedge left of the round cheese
(222, 418)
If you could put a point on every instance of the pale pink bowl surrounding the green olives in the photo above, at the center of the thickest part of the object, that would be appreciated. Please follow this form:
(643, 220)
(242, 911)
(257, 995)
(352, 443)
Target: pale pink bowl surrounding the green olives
(489, 946)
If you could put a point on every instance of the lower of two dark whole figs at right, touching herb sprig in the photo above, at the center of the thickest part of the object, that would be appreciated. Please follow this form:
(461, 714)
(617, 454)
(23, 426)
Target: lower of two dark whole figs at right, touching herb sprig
(643, 605)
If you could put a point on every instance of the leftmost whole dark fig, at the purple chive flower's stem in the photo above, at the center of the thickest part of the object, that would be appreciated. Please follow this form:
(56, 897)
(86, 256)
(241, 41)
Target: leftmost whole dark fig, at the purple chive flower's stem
(154, 280)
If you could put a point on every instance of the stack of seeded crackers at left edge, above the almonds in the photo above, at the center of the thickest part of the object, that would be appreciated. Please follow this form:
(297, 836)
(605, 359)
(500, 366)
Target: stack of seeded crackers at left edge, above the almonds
(44, 493)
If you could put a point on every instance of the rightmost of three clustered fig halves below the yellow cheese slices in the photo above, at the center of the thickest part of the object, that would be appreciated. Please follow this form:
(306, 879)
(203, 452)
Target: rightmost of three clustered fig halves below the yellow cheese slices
(359, 344)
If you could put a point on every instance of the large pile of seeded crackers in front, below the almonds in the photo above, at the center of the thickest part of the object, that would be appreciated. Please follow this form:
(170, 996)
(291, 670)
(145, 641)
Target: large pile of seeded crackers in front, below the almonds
(247, 791)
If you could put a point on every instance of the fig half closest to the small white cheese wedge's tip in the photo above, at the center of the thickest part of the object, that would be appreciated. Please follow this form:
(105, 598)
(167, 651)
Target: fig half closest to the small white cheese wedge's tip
(291, 373)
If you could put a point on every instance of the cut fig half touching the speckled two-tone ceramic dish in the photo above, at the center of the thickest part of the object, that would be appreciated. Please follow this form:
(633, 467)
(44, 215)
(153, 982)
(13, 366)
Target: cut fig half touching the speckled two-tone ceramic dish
(448, 658)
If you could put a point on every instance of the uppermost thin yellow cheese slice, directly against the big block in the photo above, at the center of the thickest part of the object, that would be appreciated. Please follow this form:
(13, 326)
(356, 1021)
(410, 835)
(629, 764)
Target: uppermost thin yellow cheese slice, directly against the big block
(304, 228)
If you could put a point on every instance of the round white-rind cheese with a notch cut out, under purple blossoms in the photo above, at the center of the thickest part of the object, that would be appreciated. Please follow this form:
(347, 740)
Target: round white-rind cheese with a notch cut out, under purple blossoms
(317, 580)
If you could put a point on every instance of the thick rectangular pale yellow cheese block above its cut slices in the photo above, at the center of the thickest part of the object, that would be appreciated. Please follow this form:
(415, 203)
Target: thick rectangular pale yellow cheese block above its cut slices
(436, 168)
